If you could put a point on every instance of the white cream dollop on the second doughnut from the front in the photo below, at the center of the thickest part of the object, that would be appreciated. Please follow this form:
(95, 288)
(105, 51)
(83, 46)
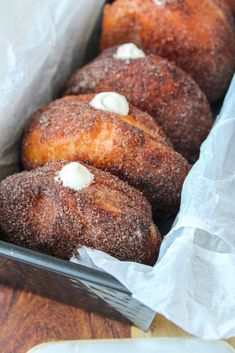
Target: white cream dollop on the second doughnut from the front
(110, 102)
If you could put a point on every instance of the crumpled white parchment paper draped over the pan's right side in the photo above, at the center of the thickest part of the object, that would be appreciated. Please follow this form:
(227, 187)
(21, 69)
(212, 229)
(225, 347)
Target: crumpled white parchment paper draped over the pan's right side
(193, 282)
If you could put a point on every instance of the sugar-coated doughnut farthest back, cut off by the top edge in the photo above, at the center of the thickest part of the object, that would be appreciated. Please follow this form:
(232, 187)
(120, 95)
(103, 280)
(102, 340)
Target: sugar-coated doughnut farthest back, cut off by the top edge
(195, 34)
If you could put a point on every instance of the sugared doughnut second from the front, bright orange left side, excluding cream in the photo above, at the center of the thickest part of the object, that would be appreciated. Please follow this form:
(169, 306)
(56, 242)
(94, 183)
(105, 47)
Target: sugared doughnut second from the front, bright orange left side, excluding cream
(71, 129)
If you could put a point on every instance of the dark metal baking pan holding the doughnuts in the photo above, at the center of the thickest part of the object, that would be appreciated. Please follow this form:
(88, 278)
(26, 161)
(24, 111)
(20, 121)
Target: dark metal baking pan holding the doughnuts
(67, 282)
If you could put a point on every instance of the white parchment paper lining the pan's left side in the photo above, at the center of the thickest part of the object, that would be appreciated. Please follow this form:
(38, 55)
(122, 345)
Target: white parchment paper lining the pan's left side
(41, 42)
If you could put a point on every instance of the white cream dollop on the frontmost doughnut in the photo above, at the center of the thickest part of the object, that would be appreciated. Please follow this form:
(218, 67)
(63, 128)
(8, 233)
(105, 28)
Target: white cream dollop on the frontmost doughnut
(74, 176)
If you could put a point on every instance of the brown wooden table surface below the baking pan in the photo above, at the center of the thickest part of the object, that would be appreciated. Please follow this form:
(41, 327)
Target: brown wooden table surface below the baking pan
(27, 320)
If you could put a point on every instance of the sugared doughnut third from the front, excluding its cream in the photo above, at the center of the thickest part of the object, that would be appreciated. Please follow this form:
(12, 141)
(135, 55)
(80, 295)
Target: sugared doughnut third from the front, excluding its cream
(156, 86)
